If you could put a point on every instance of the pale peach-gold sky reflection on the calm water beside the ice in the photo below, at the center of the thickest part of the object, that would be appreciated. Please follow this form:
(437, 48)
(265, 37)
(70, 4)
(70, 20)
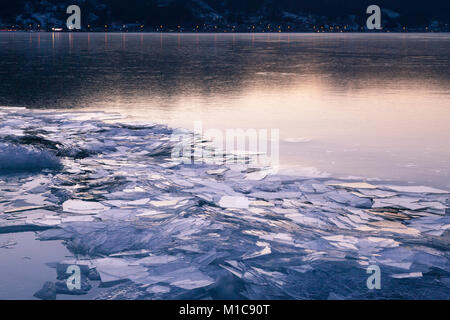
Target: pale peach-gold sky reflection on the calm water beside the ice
(399, 131)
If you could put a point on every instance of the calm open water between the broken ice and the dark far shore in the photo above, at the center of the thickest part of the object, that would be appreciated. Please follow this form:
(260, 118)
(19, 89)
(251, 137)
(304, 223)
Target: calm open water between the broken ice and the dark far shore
(366, 105)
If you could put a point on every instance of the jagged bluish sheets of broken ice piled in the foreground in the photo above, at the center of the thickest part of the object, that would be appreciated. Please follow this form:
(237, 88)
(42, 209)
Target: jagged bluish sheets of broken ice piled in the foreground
(153, 227)
